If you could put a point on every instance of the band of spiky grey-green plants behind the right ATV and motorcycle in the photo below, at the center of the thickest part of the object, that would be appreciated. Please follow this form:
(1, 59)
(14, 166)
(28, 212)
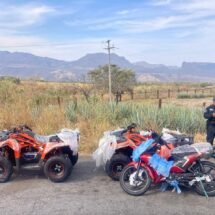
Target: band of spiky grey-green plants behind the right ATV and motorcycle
(147, 116)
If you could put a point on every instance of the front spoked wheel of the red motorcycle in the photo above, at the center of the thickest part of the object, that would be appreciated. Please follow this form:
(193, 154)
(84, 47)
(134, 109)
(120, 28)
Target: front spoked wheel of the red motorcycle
(134, 184)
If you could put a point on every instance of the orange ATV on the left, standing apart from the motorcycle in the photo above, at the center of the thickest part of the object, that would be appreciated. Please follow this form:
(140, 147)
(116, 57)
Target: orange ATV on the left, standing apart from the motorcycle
(20, 148)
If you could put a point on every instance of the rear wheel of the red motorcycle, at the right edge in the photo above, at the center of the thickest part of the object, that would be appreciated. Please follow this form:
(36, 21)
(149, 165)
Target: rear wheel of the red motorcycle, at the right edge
(206, 169)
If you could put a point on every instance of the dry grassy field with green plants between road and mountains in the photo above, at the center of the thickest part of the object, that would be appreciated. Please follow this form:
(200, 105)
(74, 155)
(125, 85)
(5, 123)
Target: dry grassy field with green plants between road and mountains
(47, 107)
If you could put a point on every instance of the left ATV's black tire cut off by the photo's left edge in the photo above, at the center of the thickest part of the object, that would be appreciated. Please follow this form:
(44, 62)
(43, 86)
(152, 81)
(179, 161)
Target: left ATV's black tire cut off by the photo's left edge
(6, 169)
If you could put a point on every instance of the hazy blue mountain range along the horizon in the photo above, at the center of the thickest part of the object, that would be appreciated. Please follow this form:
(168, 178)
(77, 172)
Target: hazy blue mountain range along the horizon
(25, 66)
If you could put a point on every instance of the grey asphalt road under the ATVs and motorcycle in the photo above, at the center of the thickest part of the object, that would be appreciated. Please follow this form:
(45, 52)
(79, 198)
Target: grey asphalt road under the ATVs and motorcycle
(89, 191)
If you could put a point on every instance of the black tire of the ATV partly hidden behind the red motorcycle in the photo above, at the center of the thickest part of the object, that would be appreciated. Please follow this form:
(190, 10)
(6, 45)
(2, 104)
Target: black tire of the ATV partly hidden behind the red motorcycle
(115, 165)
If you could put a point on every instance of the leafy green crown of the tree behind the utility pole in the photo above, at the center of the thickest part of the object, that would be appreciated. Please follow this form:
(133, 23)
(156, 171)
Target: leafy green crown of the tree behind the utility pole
(122, 79)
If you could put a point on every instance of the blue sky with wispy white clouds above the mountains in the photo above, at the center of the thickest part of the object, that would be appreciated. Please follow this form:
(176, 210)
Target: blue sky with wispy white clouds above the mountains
(156, 31)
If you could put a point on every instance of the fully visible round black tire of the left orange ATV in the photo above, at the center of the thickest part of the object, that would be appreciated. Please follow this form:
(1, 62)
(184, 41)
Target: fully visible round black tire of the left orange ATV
(57, 168)
